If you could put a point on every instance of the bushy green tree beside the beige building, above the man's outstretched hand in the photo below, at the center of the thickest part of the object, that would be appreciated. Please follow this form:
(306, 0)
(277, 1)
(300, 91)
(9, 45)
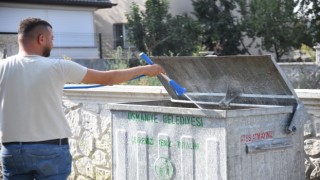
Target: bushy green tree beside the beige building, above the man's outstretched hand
(156, 32)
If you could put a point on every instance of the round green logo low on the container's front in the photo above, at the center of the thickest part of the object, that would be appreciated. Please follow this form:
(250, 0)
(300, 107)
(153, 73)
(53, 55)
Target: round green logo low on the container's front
(163, 168)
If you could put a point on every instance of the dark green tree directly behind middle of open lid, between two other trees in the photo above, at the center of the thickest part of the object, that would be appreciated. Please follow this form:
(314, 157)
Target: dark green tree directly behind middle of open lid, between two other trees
(219, 30)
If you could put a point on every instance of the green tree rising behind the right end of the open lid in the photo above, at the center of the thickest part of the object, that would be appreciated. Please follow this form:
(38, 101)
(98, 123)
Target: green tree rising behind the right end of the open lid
(275, 22)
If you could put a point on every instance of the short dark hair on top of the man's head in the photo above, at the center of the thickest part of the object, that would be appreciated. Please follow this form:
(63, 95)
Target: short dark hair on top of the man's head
(29, 24)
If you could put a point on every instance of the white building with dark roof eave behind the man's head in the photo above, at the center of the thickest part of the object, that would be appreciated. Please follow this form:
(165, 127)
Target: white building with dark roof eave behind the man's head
(73, 24)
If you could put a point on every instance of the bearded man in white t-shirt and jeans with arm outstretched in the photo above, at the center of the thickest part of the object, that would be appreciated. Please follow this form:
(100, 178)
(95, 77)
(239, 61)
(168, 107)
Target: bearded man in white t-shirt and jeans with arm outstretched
(33, 129)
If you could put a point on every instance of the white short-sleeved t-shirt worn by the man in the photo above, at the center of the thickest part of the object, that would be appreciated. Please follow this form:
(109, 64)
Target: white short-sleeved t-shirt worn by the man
(31, 90)
